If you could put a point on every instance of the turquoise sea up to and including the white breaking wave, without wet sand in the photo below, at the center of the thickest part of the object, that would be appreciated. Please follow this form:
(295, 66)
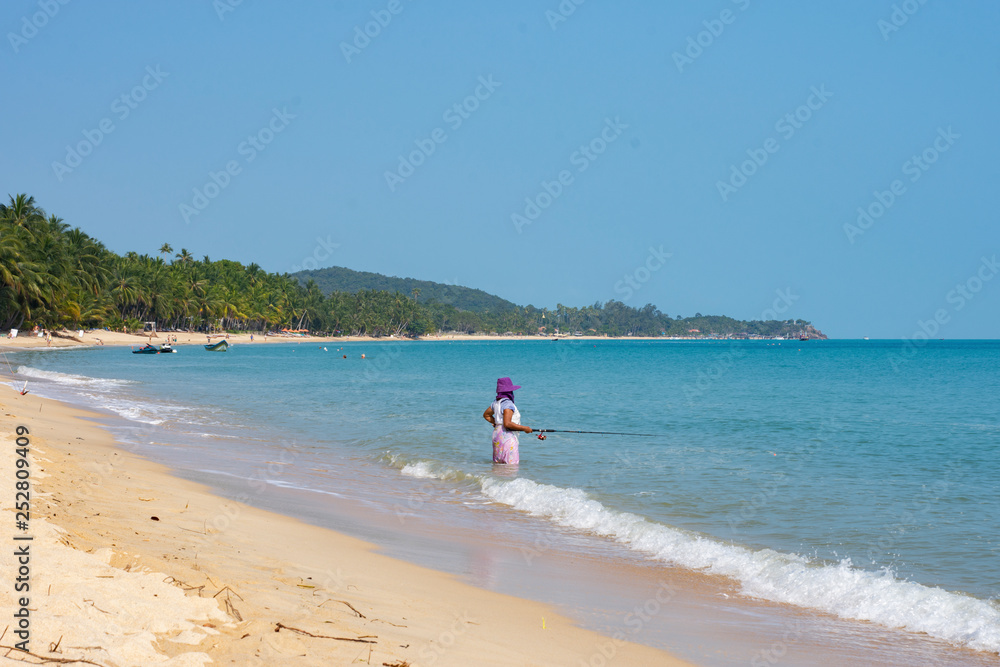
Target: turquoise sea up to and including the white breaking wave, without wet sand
(851, 477)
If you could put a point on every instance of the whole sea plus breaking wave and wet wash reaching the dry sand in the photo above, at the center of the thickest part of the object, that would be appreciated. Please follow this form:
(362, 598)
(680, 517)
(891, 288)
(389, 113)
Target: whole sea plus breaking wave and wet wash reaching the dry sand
(772, 502)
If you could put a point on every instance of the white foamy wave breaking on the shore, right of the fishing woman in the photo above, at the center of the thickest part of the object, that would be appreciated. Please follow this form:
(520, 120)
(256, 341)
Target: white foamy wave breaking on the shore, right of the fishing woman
(838, 588)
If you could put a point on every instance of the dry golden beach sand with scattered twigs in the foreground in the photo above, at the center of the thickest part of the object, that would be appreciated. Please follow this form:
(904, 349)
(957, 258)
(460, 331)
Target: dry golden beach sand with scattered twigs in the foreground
(130, 565)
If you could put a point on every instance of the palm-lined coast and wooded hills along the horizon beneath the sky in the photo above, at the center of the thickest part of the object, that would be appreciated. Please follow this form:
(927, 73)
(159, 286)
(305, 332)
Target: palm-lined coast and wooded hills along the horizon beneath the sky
(57, 277)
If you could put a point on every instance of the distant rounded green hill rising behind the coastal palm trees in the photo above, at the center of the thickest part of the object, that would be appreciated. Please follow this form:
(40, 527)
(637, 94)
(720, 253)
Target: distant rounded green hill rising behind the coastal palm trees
(341, 279)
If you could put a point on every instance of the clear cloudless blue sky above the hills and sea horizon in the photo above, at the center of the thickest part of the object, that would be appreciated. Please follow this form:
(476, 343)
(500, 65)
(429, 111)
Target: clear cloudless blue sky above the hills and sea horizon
(885, 95)
